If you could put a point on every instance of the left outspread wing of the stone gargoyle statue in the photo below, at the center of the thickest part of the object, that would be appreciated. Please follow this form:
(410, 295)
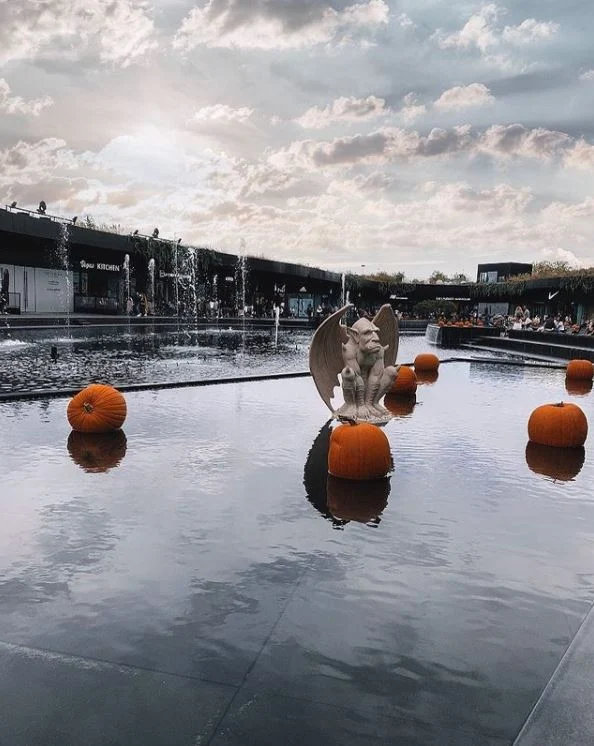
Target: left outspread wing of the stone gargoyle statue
(325, 355)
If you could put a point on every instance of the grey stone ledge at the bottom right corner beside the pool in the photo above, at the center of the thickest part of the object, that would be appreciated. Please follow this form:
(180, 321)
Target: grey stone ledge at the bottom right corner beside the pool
(564, 713)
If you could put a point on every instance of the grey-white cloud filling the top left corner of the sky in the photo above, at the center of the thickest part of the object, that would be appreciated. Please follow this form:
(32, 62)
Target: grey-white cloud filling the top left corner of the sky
(116, 32)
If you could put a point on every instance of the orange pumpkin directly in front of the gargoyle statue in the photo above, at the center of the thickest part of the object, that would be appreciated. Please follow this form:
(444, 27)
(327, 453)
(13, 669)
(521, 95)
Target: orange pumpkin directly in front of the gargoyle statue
(359, 451)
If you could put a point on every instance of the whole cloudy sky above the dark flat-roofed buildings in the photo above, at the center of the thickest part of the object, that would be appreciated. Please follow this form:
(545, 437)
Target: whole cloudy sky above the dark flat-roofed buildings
(404, 135)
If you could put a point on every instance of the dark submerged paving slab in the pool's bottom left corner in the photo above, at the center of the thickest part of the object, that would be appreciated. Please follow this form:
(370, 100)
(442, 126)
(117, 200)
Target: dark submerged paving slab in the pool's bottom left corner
(57, 700)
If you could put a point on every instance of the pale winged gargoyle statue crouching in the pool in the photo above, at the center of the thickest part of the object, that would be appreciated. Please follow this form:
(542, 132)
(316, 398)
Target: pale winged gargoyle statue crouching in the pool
(367, 367)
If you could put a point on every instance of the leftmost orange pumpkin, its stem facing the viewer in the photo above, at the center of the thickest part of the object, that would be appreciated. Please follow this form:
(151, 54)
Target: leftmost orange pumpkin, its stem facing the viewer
(97, 409)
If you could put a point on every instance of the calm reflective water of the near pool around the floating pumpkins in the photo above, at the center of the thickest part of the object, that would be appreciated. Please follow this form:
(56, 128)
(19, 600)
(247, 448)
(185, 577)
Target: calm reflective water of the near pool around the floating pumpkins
(211, 550)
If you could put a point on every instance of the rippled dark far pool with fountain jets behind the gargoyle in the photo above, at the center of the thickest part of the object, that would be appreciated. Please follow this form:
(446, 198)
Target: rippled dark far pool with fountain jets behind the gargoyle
(143, 356)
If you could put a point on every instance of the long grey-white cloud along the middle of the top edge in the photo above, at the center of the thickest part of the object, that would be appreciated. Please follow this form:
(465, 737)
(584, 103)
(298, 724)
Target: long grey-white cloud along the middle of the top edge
(257, 24)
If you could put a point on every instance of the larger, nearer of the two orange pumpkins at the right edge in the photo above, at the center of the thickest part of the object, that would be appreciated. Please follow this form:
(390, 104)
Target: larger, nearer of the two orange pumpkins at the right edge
(562, 425)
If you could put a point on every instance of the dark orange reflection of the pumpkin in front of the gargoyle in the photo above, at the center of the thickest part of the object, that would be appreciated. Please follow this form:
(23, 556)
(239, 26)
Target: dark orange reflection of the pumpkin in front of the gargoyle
(357, 501)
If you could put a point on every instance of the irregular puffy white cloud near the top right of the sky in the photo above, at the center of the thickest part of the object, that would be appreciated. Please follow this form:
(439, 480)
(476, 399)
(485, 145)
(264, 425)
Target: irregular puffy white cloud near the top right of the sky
(482, 32)
